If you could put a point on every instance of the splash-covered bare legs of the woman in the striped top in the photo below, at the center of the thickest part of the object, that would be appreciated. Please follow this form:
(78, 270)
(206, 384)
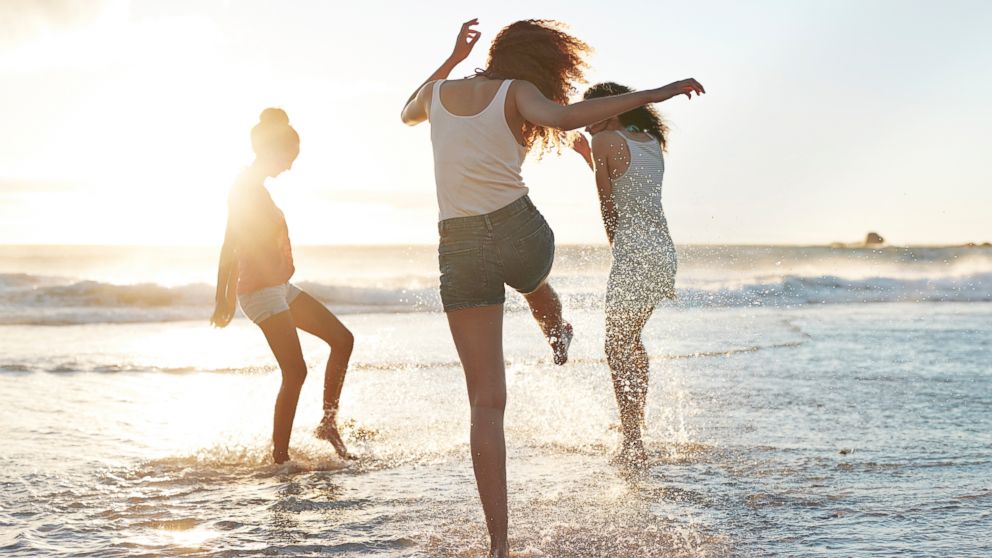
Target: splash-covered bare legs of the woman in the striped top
(628, 362)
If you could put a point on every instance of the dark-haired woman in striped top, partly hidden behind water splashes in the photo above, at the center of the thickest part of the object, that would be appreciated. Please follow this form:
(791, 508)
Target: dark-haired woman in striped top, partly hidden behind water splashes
(626, 156)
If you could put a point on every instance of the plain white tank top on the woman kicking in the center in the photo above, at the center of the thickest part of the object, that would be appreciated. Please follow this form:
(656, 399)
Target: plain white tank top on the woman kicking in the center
(476, 158)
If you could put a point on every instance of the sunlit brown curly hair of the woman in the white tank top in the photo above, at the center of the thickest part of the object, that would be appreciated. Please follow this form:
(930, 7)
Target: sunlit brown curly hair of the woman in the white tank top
(541, 52)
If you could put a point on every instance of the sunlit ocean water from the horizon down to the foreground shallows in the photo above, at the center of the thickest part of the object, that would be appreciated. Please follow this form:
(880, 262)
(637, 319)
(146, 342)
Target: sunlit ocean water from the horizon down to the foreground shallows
(803, 401)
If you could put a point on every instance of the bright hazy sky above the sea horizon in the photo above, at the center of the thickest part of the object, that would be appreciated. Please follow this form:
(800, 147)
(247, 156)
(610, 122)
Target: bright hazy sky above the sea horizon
(124, 122)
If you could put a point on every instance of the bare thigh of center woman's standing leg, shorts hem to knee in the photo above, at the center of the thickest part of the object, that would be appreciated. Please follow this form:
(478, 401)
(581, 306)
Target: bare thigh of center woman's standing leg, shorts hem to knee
(478, 337)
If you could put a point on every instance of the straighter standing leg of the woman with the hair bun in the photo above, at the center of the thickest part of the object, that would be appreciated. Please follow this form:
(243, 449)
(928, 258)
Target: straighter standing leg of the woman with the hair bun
(280, 332)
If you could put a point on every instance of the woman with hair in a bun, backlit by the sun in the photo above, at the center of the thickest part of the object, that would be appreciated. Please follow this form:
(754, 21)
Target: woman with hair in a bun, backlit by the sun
(256, 264)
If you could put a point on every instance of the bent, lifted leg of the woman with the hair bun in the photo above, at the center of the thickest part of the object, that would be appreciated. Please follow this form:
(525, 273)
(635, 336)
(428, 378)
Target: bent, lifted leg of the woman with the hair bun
(313, 317)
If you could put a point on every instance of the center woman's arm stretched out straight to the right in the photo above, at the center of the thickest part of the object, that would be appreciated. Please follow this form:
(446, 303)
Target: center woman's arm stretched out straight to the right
(538, 109)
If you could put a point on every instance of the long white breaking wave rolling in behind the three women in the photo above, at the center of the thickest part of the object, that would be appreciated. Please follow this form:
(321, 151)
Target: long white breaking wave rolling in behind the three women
(41, 300)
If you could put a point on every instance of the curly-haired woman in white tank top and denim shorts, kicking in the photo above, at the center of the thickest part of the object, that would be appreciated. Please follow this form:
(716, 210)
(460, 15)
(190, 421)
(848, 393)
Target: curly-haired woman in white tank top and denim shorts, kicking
(491, 234)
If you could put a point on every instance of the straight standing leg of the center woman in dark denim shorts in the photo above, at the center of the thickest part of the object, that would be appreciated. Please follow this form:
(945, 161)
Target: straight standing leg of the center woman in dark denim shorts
(478, 336)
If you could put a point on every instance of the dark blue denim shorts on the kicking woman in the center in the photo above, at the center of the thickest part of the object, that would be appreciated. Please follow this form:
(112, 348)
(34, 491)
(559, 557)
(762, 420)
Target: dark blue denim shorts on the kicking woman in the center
(478, 255)
